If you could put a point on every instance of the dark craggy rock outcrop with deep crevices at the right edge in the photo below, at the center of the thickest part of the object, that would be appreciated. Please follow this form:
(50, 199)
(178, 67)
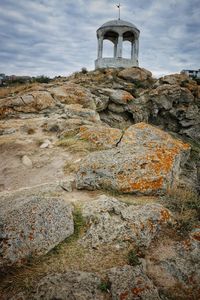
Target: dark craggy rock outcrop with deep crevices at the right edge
(175, 108)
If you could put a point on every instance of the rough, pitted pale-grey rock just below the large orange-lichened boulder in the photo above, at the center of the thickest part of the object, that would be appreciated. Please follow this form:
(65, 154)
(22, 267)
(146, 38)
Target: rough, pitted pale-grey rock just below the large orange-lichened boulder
(112, 221)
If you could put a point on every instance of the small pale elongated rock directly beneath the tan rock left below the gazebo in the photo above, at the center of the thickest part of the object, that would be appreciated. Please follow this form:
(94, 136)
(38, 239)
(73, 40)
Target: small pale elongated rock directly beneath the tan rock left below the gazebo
(77, 111)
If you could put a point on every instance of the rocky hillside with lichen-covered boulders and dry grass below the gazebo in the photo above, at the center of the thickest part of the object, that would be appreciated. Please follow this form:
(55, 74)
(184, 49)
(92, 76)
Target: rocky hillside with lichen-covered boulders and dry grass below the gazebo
(99, 187)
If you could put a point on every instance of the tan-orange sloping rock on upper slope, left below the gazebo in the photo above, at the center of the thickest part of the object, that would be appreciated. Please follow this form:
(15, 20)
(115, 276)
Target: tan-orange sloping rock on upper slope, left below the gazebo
(72, 93)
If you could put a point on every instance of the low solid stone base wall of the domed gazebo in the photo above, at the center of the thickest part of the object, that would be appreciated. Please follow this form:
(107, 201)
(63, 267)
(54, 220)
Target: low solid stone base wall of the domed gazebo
(109, 62)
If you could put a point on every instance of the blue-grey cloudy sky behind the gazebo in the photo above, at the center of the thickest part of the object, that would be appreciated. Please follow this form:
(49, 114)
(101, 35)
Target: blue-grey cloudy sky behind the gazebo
(58, 37)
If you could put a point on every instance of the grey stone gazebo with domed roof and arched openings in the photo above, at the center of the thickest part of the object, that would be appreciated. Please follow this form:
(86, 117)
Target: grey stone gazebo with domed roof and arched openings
(118, 31)
